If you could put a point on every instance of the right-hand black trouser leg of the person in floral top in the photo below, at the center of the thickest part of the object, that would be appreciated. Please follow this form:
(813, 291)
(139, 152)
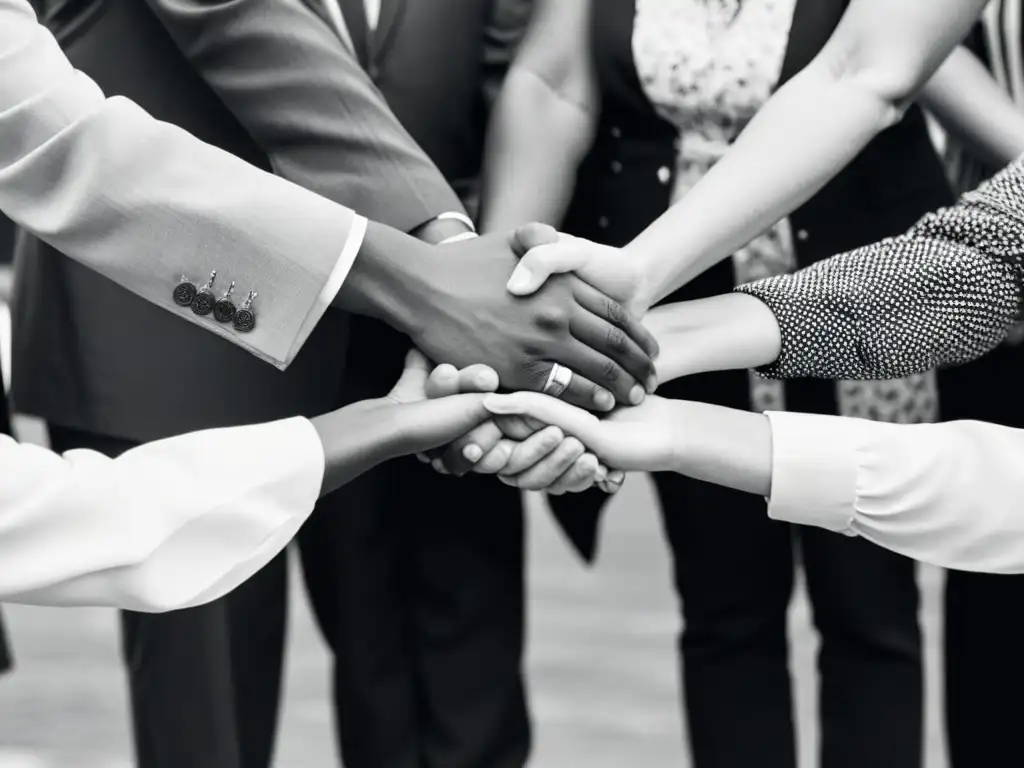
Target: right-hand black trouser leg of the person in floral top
(866, 603)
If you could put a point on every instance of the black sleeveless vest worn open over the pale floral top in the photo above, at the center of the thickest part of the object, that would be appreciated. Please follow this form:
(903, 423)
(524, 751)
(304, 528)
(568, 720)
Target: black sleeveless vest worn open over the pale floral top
(895, 180)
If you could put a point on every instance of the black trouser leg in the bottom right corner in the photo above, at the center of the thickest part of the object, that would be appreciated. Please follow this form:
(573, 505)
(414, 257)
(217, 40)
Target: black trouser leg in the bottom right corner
(985, 668)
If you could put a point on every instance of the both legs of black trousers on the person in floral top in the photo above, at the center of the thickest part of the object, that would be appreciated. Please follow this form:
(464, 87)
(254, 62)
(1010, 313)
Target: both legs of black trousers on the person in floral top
(734, 572)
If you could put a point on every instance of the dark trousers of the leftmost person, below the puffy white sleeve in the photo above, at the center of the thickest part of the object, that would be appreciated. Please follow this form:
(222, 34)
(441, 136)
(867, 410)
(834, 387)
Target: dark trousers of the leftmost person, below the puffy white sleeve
(202, 696)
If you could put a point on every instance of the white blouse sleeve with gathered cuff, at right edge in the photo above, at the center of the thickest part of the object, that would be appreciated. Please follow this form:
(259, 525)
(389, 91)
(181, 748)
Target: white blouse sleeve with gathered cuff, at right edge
(952, 495)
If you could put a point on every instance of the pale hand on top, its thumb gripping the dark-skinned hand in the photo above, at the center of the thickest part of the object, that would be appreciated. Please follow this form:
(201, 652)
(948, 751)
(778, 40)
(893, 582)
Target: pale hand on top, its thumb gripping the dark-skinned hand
(605, 268)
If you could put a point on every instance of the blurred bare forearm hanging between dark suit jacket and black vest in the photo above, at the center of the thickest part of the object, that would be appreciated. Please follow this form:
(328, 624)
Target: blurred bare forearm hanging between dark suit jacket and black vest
(535, 145)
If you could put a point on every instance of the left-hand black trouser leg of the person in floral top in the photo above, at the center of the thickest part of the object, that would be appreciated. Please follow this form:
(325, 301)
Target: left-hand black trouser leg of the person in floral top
(734, 574)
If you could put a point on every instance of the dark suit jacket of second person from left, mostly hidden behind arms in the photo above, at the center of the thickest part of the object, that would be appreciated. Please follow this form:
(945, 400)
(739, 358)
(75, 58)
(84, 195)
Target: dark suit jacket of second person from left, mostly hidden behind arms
(439, 64)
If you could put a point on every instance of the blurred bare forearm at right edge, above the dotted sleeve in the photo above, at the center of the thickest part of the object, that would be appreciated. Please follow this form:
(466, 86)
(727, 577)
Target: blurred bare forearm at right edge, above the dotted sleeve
(973, 109)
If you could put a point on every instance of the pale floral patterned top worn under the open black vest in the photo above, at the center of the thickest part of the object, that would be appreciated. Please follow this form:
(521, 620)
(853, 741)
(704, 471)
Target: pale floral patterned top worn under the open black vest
(708, 67)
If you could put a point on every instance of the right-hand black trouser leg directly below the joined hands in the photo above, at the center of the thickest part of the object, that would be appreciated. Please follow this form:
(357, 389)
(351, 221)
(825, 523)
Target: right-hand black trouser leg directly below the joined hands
(468, 593)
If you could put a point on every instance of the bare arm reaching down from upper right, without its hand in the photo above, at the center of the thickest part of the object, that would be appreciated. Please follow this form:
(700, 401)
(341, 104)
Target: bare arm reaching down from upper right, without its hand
(860, 84)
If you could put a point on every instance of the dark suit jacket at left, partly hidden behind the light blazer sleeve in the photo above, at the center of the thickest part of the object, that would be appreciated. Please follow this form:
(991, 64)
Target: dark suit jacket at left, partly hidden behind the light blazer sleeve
(269, 81)
